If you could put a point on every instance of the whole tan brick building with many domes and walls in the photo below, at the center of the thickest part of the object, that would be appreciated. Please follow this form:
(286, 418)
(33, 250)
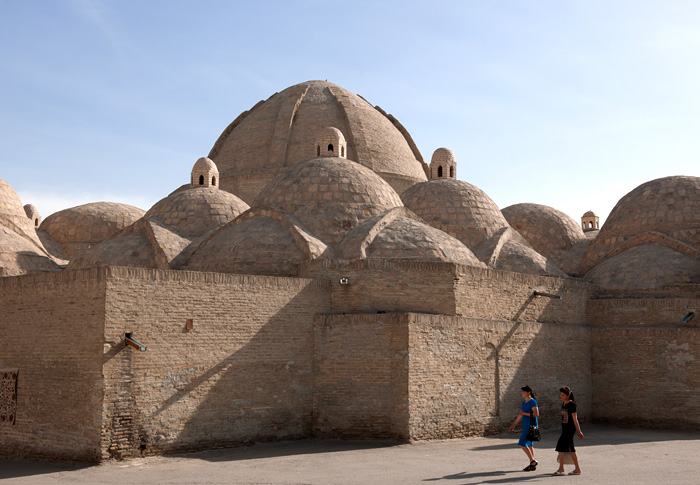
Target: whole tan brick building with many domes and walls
(316, 278)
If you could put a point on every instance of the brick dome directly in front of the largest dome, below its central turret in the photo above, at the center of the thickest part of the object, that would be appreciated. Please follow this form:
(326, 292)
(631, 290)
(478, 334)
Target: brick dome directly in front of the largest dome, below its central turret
(329, 196)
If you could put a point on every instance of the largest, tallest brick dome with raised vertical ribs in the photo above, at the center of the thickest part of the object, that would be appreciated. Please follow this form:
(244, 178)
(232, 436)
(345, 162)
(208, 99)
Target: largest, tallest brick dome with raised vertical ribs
(281, 131)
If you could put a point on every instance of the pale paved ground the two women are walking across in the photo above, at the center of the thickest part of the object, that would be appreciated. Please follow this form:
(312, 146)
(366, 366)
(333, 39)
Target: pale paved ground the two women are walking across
(608, 455)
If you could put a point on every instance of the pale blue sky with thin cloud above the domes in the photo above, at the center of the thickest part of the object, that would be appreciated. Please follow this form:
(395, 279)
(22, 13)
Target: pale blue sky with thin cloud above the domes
(562, 103)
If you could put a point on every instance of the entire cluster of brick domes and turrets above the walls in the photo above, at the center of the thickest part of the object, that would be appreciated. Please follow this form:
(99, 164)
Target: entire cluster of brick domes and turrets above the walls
(322, 170)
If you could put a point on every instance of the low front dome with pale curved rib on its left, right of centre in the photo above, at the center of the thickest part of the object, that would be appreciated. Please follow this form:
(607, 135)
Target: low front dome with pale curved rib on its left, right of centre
(399, 234)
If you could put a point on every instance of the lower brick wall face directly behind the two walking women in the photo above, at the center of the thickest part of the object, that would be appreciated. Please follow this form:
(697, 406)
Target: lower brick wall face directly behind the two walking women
(466, 374)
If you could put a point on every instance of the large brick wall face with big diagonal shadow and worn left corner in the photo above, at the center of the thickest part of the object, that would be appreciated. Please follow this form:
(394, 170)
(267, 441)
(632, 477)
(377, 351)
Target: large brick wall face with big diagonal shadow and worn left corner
(243, 373)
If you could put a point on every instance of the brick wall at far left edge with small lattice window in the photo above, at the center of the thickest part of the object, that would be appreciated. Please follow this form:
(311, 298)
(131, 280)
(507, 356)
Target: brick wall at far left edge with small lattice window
(51, 329)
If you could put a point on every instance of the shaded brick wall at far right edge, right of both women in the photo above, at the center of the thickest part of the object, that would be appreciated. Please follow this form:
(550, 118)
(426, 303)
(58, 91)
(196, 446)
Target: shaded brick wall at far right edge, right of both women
(646, 362)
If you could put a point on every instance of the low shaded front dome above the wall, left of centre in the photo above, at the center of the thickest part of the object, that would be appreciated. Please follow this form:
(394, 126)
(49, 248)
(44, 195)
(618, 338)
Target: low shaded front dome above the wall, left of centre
(263, 240)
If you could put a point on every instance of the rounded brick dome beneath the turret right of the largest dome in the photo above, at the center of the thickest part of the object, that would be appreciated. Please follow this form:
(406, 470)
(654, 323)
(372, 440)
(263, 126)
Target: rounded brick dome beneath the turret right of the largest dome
(456, 207)
